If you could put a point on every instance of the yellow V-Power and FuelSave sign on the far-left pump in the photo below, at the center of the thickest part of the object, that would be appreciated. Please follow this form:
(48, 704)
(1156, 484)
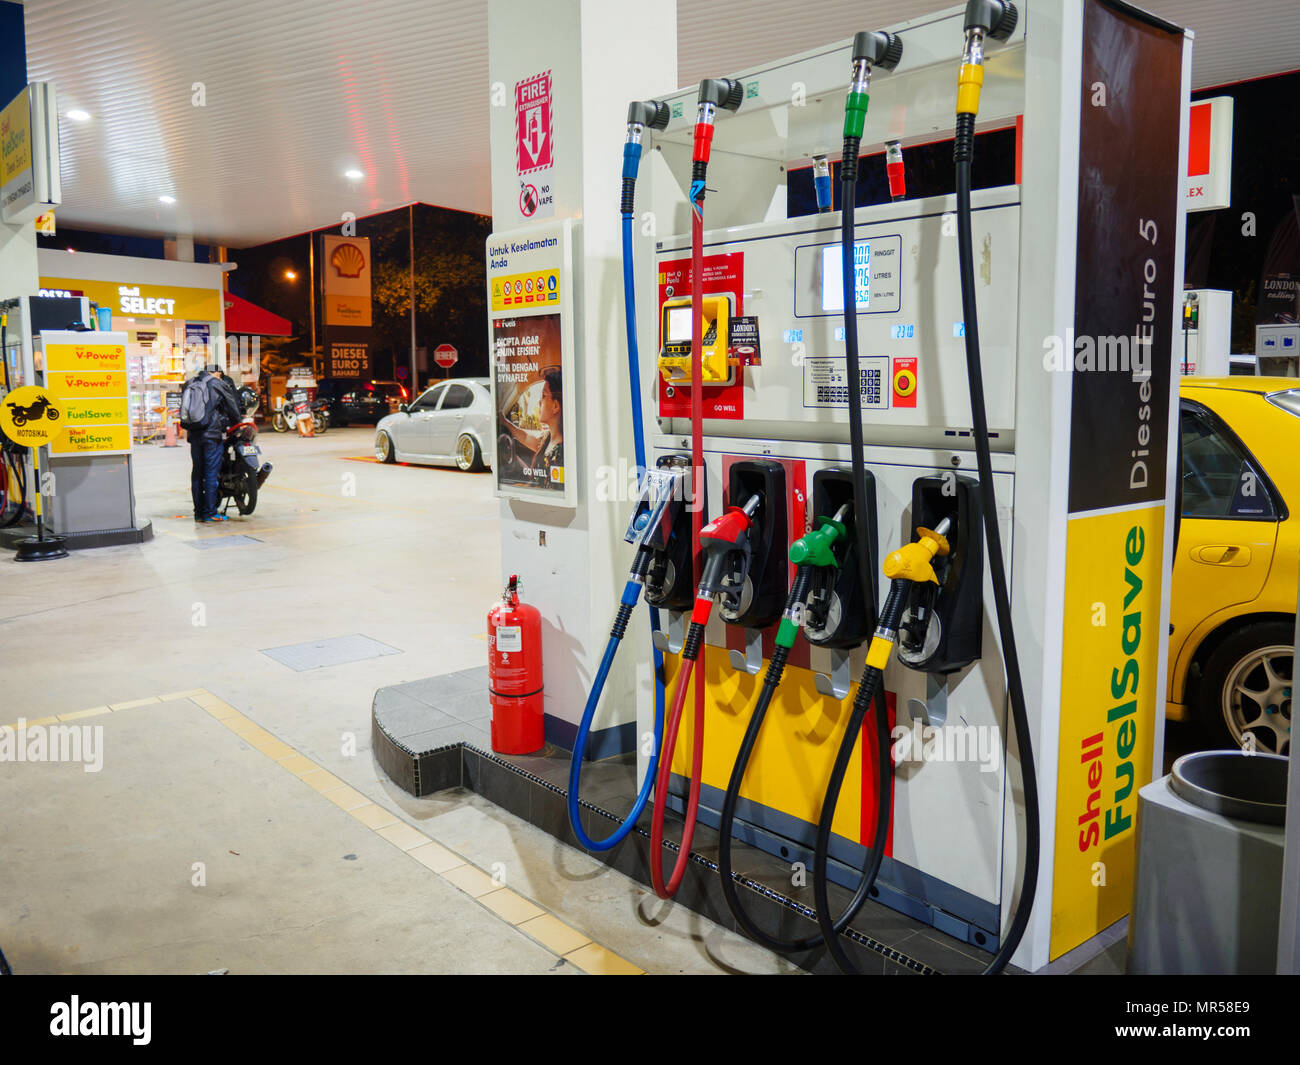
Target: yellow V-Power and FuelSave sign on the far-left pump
(86, 379)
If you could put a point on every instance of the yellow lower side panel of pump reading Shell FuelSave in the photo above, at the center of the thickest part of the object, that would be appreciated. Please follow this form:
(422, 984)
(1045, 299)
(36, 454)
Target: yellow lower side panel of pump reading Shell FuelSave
(1110, 673)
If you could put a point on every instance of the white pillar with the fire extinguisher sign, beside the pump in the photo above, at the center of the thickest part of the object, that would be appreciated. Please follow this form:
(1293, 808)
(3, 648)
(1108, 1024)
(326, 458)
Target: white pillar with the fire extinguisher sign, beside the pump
(573, 564)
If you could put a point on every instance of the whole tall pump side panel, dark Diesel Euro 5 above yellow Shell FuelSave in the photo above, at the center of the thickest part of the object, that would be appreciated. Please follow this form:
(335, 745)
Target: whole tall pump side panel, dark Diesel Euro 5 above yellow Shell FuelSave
(1111, 678)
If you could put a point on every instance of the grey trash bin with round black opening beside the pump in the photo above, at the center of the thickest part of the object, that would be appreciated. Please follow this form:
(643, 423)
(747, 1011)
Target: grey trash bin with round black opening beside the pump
(1210, 865)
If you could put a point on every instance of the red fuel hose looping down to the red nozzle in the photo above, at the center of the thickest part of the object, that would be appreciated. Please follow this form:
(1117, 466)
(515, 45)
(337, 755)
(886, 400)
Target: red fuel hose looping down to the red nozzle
(697, 522)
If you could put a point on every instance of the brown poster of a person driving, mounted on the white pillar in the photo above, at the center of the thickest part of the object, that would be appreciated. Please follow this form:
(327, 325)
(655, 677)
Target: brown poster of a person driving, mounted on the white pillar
(530, 388)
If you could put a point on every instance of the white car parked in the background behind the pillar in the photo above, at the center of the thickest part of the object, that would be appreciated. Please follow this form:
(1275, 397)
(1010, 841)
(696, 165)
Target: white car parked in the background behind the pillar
(450, 423)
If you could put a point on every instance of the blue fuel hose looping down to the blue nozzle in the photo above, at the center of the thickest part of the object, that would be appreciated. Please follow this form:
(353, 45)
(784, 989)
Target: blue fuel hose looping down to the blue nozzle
(632, 591)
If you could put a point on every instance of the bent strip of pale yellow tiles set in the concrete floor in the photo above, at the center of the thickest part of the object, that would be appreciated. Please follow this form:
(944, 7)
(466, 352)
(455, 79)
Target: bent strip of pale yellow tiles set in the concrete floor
(535, 921)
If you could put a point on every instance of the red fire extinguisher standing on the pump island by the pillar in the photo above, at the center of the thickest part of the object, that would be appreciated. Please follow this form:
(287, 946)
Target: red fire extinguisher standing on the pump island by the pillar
(515, 674)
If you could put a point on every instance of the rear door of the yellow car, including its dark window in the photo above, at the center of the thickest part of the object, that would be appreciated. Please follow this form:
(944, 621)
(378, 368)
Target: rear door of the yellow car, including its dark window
(1228, 534)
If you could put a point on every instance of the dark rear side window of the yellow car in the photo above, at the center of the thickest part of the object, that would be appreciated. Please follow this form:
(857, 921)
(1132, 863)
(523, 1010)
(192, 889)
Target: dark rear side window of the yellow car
(1221, 479)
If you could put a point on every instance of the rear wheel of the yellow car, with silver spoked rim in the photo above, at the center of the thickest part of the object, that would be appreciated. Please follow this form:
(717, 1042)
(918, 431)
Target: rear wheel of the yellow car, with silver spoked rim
(1245, 696)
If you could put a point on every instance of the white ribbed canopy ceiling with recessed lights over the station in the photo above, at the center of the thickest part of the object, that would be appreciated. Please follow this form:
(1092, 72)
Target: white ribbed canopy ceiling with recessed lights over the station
(297, 93)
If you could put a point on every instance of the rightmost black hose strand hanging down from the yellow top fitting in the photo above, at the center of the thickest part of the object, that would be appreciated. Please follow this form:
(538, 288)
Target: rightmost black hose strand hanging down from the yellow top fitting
(963, 153)
